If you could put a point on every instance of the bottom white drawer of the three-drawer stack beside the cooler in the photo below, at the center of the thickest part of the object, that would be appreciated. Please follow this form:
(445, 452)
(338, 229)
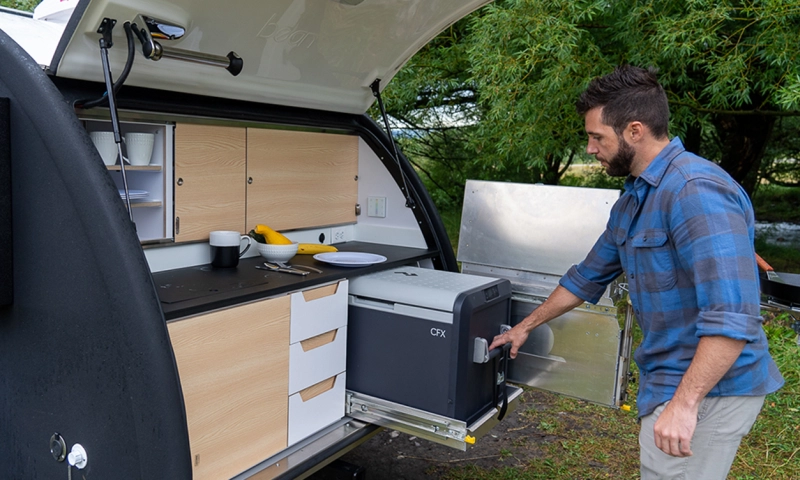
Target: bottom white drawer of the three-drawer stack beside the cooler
(316, 407)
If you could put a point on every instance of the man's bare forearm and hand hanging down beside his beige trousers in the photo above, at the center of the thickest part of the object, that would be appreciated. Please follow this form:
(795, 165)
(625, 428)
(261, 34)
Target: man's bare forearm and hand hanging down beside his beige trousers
(674, 428)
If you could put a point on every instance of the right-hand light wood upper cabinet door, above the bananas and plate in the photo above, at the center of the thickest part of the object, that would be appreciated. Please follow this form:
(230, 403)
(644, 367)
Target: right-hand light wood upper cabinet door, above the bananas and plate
(301, 179)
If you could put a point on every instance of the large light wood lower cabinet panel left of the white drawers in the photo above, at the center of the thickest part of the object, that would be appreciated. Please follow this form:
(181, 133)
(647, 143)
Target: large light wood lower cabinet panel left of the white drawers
(234, 371)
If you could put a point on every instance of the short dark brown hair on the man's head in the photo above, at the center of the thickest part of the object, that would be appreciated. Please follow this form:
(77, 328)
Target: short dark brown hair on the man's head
(628, 94)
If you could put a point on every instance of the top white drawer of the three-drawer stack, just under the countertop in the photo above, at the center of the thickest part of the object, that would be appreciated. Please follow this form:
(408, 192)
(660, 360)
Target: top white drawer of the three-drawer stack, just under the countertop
(318, 310)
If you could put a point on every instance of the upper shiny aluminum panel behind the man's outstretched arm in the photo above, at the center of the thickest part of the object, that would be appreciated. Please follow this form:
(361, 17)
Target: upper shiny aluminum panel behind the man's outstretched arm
(536, 228)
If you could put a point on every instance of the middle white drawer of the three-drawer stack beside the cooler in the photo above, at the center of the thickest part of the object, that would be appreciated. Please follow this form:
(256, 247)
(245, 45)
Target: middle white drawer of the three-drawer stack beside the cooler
(317, 358)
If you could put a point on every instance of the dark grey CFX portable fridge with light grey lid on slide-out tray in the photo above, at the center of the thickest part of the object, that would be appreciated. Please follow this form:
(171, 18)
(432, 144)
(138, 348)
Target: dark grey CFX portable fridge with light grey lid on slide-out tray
(410, 339)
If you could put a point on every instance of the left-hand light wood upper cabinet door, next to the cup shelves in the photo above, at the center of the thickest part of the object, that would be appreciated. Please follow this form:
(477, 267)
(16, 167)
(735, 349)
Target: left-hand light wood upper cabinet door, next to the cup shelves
(210, 169)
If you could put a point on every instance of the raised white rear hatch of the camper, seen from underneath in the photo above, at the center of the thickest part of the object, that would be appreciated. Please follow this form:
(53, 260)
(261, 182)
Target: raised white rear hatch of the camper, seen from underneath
(320, 54)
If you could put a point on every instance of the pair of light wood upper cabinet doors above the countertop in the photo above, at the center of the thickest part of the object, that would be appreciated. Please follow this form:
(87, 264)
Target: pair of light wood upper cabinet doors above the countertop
(285, 179)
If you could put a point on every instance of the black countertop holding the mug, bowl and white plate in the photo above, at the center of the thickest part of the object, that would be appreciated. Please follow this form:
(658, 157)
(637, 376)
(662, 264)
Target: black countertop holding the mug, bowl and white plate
(193, 290)
